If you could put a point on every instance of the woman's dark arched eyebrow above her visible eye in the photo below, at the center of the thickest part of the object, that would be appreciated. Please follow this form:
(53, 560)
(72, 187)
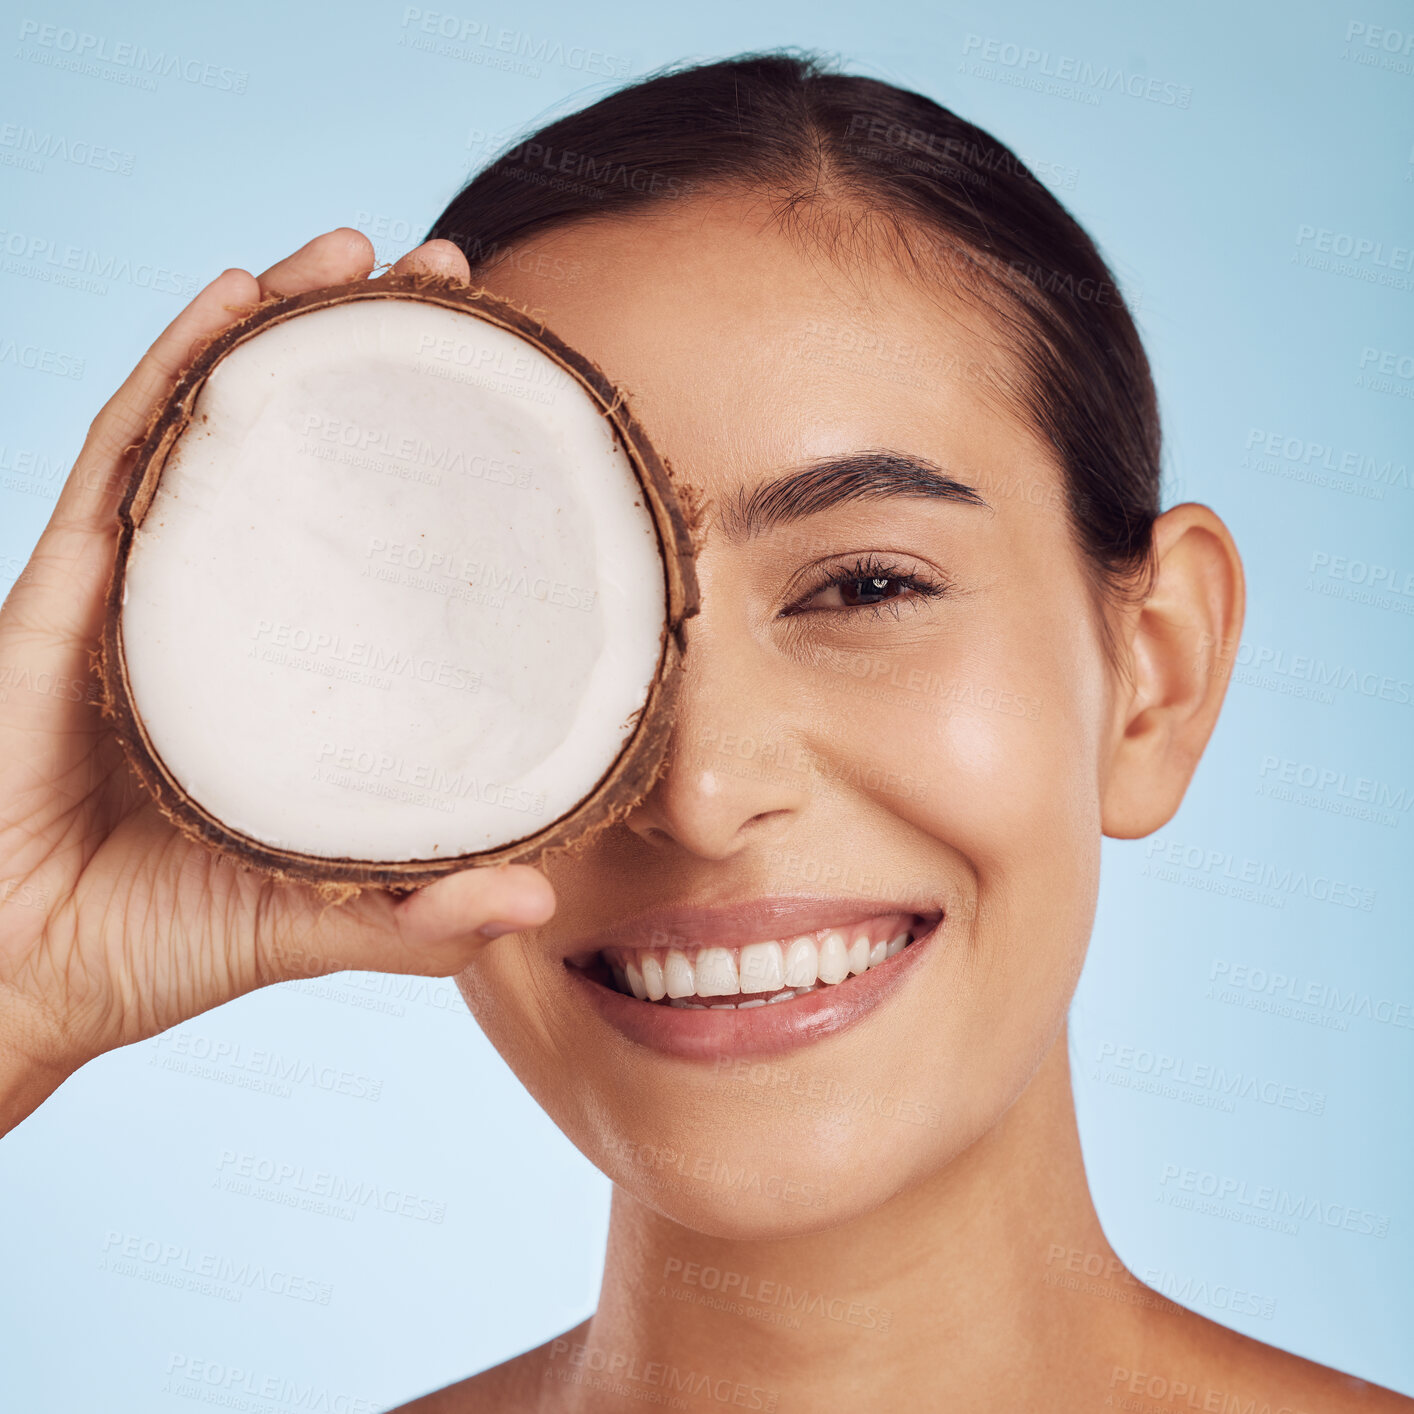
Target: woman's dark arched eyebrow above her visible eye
(835, 481)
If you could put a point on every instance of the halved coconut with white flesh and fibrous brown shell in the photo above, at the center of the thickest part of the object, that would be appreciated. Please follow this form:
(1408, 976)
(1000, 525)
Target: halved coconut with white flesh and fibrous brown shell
(401, 589)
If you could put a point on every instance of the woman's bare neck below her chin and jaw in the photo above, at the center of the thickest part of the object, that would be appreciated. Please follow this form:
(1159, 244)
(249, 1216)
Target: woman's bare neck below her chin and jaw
(981, 1287)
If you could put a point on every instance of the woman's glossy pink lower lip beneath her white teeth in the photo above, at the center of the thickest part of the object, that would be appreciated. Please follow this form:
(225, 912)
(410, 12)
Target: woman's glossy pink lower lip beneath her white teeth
(759, 1032)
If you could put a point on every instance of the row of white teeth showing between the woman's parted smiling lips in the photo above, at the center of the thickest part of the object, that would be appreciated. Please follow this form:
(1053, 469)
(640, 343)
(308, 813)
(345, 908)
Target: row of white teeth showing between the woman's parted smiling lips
(759, 974)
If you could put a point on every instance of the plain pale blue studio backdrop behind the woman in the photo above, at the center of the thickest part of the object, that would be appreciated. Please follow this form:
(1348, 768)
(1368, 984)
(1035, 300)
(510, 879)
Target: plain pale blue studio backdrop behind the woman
(1251, 185)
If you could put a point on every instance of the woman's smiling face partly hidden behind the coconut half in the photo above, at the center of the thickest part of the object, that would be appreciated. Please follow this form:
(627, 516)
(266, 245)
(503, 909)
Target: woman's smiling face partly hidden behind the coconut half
(897, 715)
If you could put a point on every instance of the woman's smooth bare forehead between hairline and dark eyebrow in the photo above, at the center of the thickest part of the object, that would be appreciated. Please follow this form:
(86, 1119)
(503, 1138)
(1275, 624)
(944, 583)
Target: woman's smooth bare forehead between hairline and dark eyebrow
(747, 351)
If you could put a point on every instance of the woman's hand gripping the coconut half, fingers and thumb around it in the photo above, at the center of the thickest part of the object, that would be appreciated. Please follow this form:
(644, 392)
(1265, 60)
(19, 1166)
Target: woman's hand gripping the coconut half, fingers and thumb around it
(114, 925)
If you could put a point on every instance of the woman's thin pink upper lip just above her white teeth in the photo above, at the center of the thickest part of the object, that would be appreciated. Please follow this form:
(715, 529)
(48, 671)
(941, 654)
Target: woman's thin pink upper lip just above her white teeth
(735, 925)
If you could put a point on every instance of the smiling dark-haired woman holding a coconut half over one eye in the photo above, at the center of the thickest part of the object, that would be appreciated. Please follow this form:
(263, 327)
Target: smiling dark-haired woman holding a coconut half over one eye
(807, 1005)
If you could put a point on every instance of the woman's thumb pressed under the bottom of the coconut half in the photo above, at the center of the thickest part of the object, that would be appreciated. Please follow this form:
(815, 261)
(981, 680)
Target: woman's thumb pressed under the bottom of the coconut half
(433, 933)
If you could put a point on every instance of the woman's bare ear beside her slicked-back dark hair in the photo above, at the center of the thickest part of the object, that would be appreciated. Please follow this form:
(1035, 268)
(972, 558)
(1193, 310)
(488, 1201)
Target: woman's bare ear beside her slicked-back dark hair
(1181, 644)
